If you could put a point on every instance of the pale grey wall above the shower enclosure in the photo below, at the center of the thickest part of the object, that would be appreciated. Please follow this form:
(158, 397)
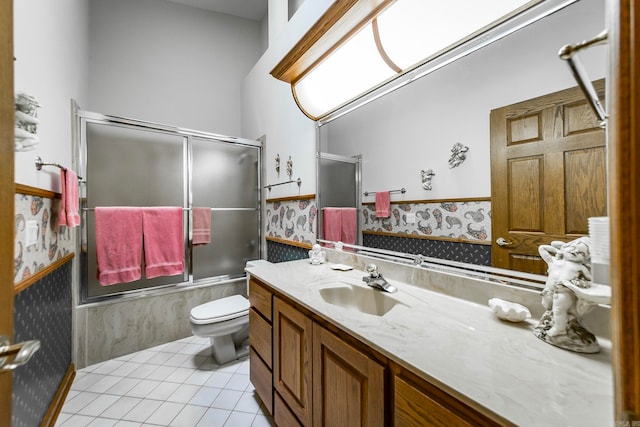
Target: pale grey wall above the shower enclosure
(168, 63)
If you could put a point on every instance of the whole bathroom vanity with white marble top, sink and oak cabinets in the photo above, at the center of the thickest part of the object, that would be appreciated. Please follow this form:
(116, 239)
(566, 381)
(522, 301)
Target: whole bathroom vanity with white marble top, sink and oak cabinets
(326, 349)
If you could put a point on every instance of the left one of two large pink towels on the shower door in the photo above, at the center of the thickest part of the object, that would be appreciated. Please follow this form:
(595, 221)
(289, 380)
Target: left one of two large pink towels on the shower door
(118, 244)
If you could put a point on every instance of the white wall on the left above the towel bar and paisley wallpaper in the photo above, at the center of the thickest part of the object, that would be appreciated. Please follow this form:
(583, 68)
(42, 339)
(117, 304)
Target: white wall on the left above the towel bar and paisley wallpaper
(52, 51)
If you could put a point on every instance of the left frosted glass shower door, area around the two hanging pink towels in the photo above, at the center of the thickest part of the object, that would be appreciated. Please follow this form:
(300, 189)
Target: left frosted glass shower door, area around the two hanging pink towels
(128, 166)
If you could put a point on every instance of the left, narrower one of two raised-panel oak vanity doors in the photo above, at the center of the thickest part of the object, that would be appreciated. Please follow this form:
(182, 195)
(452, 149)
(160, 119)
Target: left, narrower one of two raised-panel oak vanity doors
(292, 358)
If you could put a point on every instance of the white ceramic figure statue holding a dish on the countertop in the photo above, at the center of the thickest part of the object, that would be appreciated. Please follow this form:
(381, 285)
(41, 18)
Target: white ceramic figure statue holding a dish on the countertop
(568, 295)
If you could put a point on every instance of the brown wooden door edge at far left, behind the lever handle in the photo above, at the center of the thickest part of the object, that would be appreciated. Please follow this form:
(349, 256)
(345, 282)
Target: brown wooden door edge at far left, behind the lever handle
(6, 195)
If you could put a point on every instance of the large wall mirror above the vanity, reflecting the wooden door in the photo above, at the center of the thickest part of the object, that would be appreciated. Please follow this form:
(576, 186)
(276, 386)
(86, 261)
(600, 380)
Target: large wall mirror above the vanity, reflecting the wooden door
(517, 85)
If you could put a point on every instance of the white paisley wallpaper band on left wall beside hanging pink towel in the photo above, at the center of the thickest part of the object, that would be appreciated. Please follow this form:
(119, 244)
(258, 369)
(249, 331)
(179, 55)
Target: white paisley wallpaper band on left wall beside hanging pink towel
(52, 242)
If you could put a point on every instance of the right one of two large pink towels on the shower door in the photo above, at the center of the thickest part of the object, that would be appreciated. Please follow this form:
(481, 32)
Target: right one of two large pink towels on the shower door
(163, 241)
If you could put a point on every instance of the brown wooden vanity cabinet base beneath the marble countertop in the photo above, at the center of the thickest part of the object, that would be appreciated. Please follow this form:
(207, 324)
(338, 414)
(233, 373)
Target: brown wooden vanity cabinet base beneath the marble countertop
(309, 373)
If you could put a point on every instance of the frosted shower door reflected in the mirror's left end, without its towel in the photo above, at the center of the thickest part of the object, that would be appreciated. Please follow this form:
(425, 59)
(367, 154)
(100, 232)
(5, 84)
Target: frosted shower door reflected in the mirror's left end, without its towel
(338, 186)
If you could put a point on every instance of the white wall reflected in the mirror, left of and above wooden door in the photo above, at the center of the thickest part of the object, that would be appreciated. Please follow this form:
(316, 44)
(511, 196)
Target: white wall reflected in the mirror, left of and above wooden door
(415, 127)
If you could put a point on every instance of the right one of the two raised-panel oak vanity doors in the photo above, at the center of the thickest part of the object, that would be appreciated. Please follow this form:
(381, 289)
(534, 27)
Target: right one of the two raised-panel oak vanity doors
(348, 386)
